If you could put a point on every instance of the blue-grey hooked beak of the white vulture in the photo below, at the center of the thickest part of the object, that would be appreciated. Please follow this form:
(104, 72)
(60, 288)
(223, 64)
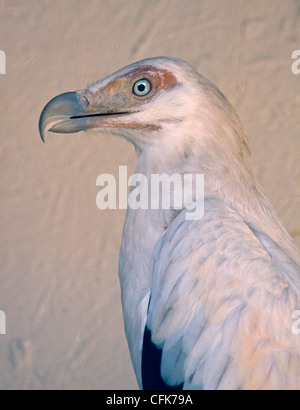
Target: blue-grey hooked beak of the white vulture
(71, 112)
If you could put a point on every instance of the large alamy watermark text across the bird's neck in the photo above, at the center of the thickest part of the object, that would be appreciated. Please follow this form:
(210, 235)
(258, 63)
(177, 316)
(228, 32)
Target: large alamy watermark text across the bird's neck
(157, 191)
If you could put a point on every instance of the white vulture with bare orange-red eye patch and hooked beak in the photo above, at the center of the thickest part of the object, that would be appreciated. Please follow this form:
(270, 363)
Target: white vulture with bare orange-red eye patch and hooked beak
(209, 303)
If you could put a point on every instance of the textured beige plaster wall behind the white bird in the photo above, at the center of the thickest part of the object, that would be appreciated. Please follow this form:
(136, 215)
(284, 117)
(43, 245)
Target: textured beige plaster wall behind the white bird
(59, 253)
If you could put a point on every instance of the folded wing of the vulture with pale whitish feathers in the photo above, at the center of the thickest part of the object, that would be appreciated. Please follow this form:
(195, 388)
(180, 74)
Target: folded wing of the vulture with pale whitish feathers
(221, 309)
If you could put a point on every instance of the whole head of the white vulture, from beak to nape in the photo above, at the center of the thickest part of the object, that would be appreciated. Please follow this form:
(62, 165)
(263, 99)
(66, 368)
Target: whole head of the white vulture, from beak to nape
(158, 102)
